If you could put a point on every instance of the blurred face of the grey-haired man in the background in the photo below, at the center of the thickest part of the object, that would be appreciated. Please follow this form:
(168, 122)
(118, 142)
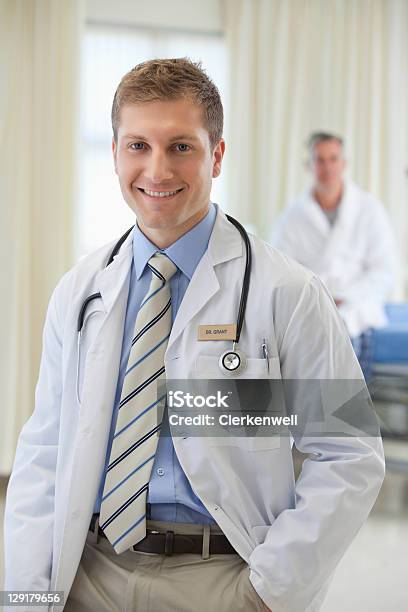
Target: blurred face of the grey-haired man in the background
(327, 164)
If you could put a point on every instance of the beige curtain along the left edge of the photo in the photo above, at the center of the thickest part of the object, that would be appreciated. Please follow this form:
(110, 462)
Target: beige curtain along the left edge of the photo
(39, 74)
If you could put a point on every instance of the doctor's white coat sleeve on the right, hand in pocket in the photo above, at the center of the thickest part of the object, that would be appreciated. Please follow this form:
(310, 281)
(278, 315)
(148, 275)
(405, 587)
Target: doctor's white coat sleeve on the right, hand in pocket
(340, 480)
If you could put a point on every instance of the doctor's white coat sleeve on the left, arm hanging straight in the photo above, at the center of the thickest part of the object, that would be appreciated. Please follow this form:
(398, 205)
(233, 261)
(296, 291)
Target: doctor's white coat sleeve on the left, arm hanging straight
(28, 521)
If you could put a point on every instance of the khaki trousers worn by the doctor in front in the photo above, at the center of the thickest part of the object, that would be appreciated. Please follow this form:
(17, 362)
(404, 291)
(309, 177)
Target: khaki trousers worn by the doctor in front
(150, 582)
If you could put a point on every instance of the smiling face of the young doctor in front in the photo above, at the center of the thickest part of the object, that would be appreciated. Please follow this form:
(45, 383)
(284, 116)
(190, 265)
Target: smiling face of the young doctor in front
(165, 166)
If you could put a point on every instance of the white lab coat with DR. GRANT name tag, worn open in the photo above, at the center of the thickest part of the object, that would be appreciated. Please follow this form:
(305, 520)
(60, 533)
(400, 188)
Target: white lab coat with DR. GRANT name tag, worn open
(291, 536)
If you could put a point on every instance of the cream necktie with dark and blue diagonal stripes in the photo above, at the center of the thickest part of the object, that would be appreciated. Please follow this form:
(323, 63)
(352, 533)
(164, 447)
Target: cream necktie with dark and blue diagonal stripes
(123, 506)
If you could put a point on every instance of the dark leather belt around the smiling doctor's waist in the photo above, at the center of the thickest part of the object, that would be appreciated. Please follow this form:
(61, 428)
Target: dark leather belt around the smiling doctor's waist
(170, 543)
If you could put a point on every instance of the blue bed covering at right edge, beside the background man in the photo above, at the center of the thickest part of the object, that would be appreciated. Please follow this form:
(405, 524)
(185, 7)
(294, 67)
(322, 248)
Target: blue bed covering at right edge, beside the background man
(390, 344)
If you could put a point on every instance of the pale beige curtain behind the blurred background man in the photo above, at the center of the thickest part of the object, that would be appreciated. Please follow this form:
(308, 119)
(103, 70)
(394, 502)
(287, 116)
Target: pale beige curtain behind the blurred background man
(303, 65)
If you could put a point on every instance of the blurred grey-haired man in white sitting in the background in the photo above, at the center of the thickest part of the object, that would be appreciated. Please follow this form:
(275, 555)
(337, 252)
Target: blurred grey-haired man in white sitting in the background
(344, 235)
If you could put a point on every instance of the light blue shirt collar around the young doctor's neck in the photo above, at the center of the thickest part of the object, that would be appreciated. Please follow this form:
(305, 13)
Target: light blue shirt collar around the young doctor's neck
(186, 252)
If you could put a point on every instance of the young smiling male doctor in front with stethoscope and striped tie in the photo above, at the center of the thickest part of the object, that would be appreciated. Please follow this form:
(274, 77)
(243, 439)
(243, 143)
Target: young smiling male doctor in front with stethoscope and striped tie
(119, 518)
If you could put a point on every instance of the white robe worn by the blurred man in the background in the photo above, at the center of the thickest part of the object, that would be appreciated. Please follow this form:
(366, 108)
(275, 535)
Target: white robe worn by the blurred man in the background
(355, 257)
